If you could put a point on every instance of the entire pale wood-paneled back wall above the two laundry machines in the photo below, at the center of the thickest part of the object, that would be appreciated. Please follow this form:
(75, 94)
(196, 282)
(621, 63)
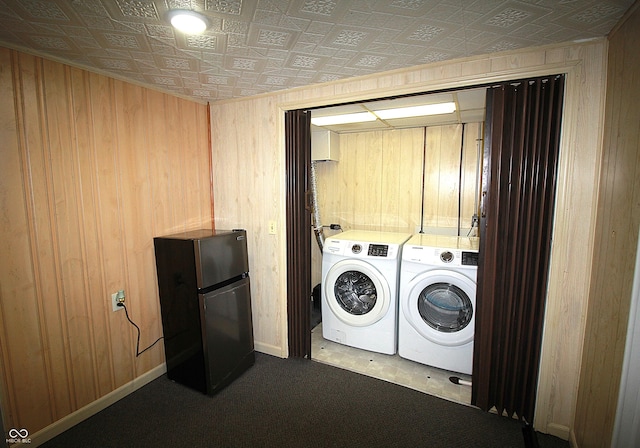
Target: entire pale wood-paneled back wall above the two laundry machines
(377, 182)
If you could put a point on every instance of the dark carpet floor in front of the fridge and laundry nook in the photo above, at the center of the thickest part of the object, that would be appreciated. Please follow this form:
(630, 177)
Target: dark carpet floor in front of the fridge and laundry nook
(293, 403)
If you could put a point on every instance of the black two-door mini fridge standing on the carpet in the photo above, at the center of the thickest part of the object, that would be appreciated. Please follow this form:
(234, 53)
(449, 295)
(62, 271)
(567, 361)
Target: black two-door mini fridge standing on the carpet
(205, 301)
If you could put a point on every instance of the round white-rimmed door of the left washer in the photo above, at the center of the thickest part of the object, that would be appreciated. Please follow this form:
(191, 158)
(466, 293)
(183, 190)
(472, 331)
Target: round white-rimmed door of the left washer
(356, 292)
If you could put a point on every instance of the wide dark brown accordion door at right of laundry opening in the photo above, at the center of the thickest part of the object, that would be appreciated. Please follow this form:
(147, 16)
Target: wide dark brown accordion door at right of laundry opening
(518, 194)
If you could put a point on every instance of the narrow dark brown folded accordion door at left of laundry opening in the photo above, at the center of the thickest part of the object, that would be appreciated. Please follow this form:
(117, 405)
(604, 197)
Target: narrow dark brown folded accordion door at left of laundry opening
(298, 162)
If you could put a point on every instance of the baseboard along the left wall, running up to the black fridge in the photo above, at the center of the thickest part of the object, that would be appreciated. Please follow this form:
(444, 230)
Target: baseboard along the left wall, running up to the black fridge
(58, 427)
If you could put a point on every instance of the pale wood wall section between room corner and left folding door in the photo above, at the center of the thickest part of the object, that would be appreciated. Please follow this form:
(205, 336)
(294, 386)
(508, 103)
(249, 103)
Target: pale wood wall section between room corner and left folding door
(249, 192)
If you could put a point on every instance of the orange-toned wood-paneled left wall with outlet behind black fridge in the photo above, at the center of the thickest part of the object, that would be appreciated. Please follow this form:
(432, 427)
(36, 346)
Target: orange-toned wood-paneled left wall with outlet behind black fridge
(92, 170)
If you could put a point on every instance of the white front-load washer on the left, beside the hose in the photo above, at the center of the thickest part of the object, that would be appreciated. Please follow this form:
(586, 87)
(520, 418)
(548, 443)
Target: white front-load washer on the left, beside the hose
(360, 273)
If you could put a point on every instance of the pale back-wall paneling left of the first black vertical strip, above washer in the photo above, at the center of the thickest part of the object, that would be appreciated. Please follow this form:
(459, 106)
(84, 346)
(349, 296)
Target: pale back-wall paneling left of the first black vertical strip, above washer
(375, 184)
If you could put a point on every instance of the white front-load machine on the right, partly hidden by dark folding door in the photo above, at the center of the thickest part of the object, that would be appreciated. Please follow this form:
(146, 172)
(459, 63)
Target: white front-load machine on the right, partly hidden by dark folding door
(437, 301)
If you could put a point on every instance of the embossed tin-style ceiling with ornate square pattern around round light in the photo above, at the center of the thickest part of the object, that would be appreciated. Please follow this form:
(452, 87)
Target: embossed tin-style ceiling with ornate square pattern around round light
(258, 46)
